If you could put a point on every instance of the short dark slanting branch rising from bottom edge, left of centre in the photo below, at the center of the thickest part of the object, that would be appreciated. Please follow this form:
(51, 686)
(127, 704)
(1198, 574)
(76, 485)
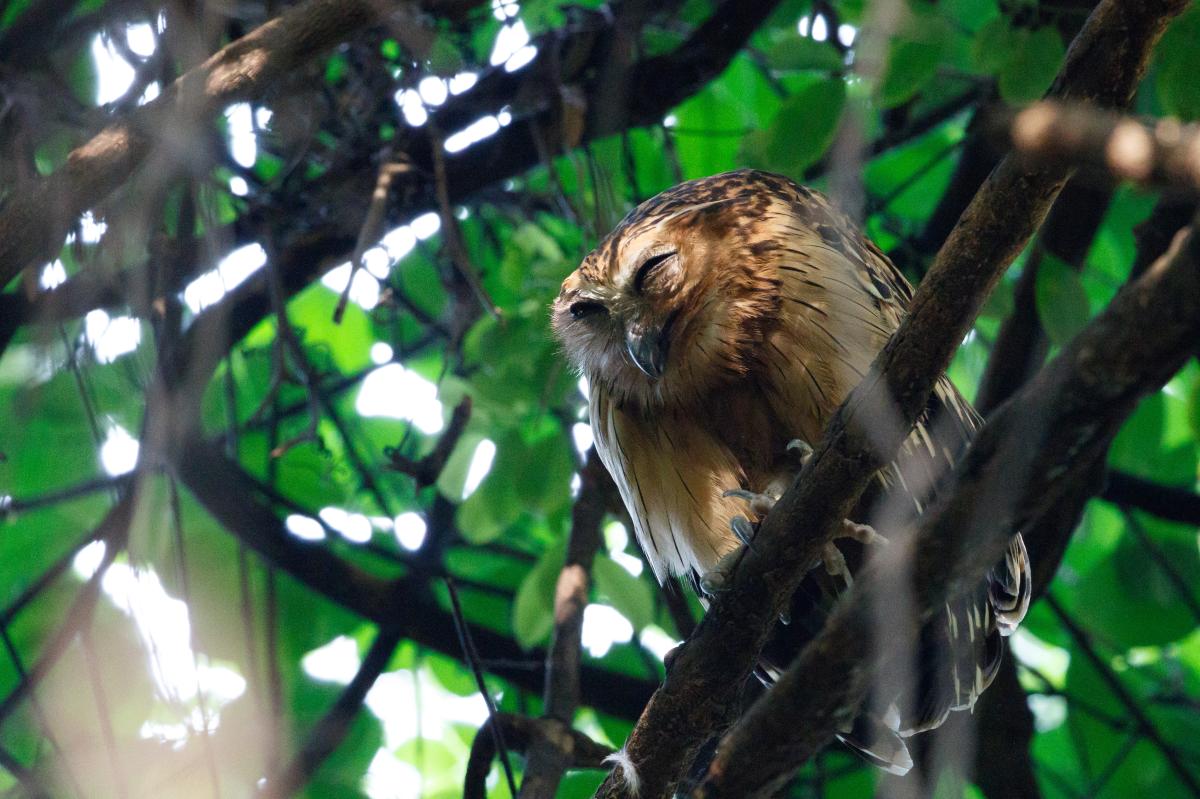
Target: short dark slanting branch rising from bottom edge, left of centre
(329, 734)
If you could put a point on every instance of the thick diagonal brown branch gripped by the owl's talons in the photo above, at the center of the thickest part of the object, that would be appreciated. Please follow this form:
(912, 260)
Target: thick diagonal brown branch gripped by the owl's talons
(1105, 65)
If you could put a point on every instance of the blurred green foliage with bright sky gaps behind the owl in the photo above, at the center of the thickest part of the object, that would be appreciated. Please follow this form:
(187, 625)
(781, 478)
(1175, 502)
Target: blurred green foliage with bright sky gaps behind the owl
(199, 666)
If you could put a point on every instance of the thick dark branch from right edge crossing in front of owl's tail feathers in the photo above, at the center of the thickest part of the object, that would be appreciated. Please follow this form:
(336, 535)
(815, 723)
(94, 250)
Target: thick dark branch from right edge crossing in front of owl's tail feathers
(1048, 434)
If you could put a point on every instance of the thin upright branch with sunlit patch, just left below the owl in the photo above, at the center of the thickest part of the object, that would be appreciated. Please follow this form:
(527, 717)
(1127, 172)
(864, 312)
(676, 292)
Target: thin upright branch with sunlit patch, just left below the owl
(550, 756)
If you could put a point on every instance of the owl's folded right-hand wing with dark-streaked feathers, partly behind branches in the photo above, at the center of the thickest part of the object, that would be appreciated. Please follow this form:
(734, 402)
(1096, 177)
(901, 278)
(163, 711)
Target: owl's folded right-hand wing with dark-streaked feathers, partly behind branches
(842, 301)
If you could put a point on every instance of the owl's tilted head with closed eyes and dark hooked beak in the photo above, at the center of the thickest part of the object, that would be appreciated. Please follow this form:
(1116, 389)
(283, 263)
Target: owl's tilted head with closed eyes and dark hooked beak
(675, 303)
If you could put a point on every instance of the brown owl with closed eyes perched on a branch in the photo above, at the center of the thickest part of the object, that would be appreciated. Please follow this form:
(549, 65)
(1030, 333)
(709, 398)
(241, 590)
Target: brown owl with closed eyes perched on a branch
(719, 327)
